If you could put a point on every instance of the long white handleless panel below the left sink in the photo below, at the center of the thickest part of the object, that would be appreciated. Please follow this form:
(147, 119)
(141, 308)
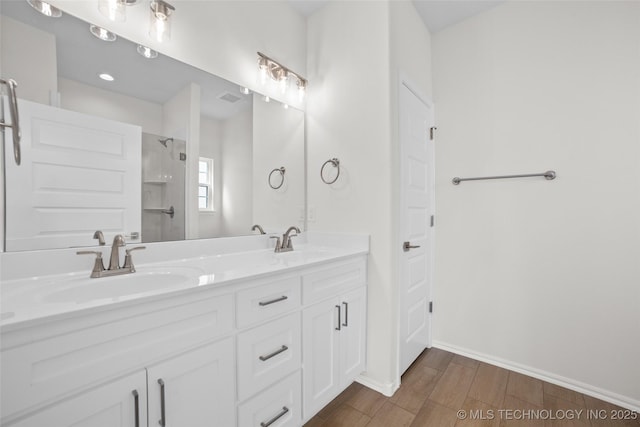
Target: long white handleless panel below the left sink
(46, 369)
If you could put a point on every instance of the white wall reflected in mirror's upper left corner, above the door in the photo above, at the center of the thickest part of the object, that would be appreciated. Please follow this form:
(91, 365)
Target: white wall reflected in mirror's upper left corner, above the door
(33, 59)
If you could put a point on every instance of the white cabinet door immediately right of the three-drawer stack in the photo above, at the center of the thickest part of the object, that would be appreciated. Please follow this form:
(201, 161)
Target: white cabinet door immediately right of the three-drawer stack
(321, 372)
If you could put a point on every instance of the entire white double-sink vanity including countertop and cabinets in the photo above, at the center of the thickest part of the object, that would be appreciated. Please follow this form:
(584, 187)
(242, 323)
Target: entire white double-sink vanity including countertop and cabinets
(231, 335)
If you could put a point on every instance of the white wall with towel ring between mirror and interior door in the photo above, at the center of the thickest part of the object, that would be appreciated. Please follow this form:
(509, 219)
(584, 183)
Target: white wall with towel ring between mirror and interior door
(348, 117)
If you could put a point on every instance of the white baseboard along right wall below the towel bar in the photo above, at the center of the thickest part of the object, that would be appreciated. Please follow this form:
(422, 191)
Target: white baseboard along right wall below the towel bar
(589, 390)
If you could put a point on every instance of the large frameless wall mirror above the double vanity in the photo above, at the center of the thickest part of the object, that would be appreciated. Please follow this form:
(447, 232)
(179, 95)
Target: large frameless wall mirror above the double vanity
(162, 151)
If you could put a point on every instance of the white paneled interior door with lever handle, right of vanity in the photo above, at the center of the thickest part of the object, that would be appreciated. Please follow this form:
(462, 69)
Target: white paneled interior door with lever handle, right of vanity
(416, 120)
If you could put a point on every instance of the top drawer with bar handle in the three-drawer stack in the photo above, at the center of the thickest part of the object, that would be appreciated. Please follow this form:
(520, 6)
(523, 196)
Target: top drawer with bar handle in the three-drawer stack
(268, 300)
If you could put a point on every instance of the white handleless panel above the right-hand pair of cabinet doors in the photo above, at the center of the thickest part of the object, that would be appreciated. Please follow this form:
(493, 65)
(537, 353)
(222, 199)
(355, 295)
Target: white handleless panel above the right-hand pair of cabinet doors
(333, 280)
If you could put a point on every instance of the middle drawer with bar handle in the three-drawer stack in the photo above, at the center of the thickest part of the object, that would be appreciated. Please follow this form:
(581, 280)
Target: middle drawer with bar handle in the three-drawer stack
(268, 353)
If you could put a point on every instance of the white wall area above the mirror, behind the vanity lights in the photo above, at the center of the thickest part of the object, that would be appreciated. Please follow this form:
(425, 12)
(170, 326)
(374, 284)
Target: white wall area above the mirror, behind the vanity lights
(221, 37)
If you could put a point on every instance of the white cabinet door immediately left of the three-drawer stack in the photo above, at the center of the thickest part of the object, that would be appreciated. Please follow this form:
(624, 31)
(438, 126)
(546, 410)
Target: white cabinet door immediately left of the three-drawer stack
(194, 389)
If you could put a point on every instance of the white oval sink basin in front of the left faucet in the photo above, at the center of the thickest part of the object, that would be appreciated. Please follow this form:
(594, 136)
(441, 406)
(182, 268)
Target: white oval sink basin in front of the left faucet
(140, 282)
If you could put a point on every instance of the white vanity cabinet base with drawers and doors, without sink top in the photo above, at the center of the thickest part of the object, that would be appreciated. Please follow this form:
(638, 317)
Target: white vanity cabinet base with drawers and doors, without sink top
(269, 350)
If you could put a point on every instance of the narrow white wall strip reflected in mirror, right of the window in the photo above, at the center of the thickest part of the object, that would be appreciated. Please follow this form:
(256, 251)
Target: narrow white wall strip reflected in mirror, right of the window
(237, 176)
